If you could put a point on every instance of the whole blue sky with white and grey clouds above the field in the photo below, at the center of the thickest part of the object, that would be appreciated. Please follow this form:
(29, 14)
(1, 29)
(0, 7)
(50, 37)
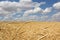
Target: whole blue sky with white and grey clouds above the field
(30, 10)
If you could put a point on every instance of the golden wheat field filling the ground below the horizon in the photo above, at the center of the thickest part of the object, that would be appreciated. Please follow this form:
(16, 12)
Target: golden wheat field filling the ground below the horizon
(29, 30)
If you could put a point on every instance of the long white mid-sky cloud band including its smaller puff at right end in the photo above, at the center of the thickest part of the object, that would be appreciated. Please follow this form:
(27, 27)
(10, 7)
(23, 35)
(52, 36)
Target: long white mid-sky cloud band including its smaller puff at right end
(37, 10)
